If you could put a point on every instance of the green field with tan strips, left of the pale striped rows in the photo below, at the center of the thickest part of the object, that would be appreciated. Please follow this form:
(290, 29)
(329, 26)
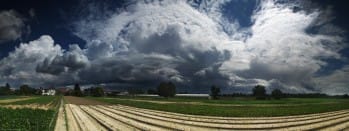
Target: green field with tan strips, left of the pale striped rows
(29, 113)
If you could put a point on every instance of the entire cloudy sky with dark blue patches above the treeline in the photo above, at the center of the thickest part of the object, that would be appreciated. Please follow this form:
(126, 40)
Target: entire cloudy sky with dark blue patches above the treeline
(298, 46)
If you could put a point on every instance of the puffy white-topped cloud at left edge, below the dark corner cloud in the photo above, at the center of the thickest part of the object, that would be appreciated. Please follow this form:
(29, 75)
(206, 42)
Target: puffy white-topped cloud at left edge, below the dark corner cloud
(19, 66)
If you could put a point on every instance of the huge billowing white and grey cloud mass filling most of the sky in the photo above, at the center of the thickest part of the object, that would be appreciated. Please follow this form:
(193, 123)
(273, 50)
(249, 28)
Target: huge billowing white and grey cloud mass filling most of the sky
(192, 44)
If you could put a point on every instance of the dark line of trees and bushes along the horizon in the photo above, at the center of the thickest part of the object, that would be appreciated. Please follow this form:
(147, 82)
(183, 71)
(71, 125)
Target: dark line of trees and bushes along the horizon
(165, 89)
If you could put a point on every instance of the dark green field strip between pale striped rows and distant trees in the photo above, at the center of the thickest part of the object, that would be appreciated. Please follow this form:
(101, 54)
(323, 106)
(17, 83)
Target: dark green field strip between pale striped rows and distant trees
(241, 108)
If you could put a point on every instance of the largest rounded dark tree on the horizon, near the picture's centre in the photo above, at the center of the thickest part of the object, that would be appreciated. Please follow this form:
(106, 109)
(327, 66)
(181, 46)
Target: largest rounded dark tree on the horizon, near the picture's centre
(166, 89)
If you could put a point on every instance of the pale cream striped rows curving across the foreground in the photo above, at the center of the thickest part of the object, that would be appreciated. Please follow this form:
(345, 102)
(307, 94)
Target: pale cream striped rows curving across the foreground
(119, 117)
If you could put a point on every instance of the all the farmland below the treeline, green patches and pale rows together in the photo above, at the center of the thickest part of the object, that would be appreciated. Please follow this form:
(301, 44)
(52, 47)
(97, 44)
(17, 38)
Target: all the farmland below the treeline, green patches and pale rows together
(91, 114)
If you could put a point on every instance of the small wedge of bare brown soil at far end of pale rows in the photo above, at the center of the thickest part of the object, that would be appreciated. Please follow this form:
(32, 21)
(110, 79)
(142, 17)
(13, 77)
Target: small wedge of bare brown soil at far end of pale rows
(82, 101)
